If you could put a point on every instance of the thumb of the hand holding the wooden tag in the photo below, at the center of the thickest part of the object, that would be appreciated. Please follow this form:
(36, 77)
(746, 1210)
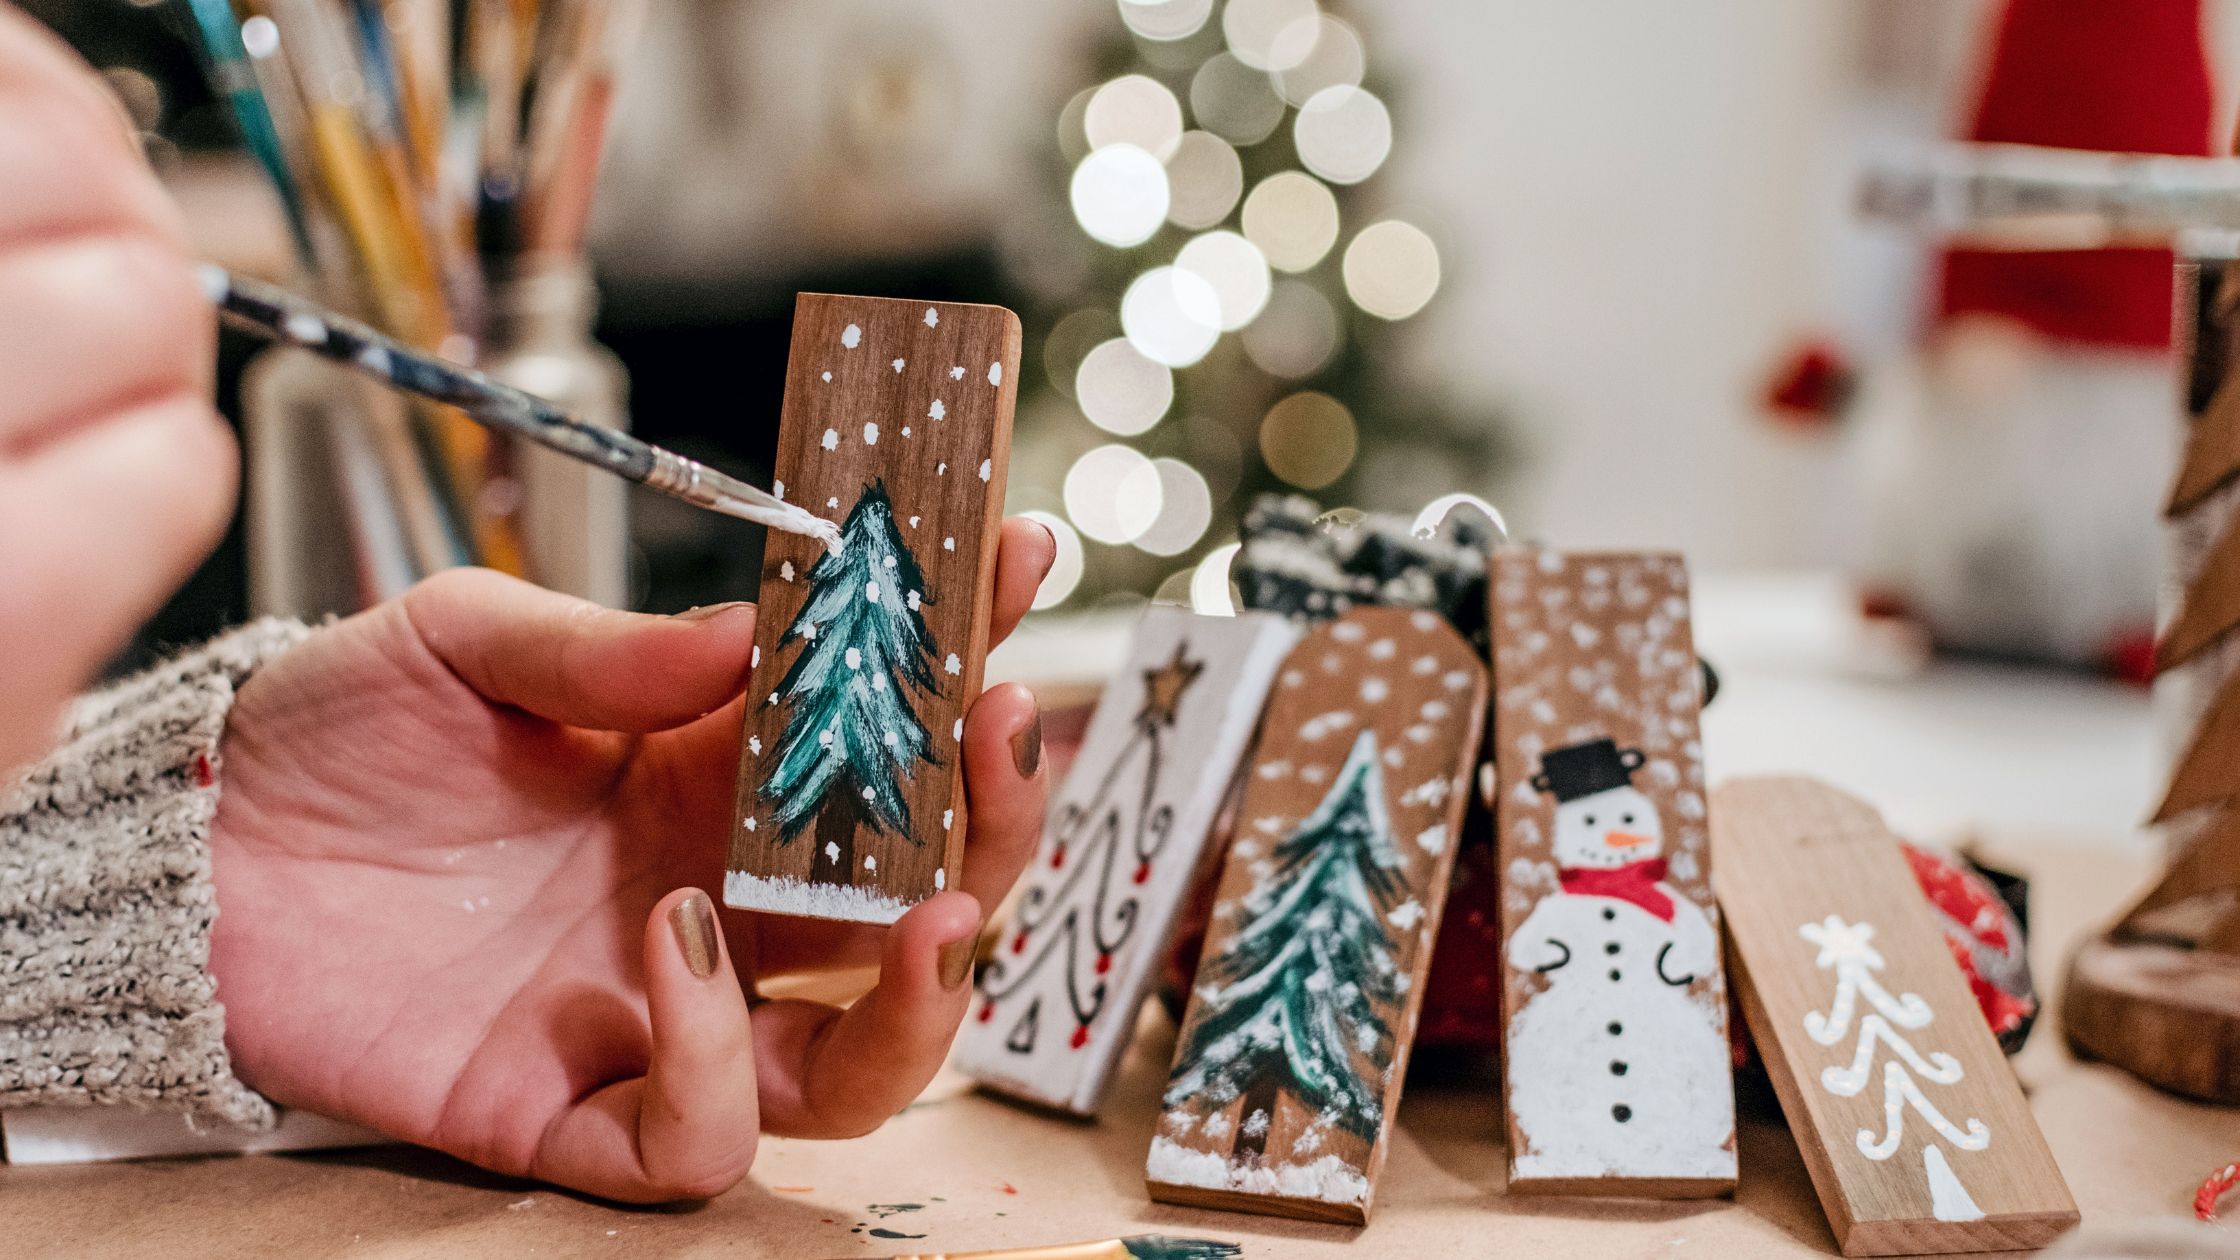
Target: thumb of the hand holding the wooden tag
(570, 660)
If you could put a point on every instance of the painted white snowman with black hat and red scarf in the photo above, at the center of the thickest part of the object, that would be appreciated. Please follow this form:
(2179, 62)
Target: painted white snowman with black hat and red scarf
(1616, 1064)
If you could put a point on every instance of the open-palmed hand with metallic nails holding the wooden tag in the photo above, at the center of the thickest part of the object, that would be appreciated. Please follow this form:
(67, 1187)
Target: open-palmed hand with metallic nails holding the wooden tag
(456, 855)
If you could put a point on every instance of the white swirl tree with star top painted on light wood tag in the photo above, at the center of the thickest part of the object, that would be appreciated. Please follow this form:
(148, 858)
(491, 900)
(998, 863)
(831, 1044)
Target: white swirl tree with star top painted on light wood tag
(1849, 952)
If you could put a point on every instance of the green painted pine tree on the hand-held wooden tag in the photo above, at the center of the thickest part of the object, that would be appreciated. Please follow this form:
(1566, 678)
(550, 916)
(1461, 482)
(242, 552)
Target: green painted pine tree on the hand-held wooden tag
(852, 736)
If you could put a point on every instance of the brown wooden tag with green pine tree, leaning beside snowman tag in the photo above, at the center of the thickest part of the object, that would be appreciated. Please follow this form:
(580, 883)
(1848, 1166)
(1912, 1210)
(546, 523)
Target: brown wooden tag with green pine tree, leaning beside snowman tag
(1305, 1006)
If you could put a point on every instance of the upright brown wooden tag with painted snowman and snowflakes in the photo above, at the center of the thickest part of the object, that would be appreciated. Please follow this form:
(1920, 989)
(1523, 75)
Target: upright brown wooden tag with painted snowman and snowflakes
(1616, 1064)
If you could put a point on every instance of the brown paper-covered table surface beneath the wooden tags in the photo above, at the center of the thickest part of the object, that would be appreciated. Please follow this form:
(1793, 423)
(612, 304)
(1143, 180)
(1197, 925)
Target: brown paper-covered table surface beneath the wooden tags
(964, 1171)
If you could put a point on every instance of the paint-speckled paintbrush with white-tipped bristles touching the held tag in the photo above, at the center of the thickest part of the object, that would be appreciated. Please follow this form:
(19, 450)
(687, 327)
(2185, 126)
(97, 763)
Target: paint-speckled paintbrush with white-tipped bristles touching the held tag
(281, 317)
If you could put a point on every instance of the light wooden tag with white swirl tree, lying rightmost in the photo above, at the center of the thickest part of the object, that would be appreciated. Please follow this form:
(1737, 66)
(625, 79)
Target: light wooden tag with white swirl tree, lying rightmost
(1910, 1120)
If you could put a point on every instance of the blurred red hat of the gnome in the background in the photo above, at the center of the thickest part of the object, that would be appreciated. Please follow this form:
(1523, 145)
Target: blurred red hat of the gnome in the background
(2087, 75)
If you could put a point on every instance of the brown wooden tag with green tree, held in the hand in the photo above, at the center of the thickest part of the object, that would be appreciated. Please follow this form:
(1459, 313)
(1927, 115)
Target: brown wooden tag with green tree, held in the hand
(897, 425)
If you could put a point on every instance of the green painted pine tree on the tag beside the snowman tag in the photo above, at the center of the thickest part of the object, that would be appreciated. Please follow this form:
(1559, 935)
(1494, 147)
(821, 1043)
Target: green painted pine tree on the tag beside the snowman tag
(1294, 1003)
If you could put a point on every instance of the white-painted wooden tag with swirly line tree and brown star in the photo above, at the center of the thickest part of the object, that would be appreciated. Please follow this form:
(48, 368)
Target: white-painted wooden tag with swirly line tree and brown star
(1119, 853)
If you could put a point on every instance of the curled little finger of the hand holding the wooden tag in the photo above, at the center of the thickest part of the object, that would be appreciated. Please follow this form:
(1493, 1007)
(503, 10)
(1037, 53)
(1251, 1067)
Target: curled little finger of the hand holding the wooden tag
(687, 1129)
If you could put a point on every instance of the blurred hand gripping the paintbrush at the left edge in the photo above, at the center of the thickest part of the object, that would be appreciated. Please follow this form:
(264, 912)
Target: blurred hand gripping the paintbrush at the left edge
(115, 474)
